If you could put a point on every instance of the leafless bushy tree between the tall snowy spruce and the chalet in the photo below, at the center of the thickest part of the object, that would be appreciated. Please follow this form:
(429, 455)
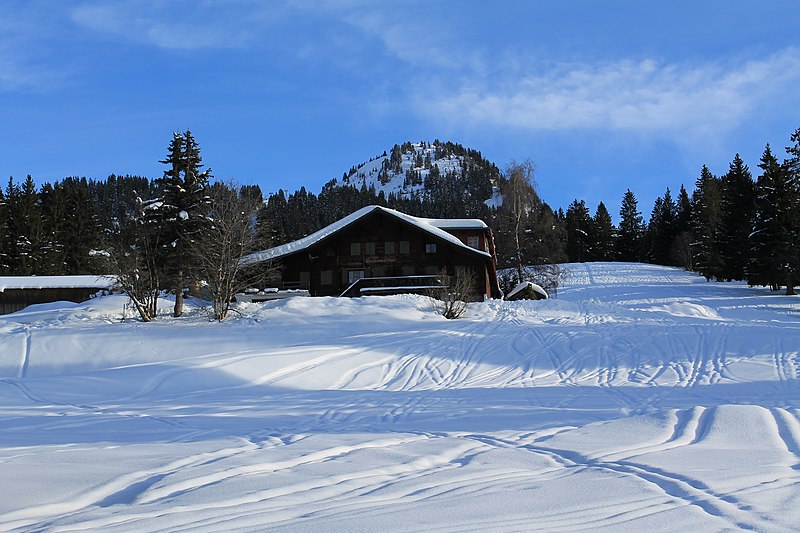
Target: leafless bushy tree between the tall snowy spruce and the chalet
(217, 253)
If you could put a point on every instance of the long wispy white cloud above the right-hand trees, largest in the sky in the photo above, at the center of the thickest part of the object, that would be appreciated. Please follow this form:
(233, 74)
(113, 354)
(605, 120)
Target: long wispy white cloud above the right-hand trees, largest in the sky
(635, 96)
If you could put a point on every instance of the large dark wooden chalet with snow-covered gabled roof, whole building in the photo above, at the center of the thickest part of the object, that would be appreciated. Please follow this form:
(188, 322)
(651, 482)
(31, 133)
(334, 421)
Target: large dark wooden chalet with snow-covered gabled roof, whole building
(377, 250)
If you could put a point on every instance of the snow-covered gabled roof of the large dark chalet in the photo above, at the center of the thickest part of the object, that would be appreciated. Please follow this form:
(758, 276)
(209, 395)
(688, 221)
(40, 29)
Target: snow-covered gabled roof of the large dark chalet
(429, 225)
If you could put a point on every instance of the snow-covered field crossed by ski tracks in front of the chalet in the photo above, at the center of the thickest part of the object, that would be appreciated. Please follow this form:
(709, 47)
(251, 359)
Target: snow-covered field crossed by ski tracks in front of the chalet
(643, 398)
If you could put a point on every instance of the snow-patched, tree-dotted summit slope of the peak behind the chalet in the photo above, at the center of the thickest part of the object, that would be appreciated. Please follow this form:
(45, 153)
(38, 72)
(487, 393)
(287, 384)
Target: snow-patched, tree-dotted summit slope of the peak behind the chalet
(406, 170)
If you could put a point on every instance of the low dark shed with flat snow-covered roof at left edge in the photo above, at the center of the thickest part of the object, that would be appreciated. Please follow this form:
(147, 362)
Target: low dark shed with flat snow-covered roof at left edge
(18, 292)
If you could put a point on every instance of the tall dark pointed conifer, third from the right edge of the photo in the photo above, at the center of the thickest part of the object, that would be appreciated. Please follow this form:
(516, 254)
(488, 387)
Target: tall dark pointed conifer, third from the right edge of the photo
(737, 209)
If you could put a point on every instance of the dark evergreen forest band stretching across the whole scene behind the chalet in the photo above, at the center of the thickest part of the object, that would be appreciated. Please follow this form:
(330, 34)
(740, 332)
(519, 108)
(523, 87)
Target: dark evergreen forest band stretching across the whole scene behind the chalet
(742, 225)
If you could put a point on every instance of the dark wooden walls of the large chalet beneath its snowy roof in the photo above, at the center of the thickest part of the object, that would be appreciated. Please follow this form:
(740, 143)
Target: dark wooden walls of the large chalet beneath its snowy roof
(380, 244)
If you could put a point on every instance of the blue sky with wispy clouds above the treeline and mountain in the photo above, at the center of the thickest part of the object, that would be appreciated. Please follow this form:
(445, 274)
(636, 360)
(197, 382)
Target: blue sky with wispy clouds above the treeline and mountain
(602, 96)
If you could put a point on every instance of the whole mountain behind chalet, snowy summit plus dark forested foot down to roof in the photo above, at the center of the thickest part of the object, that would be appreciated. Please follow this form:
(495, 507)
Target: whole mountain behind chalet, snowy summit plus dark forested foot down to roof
(436, 180)
